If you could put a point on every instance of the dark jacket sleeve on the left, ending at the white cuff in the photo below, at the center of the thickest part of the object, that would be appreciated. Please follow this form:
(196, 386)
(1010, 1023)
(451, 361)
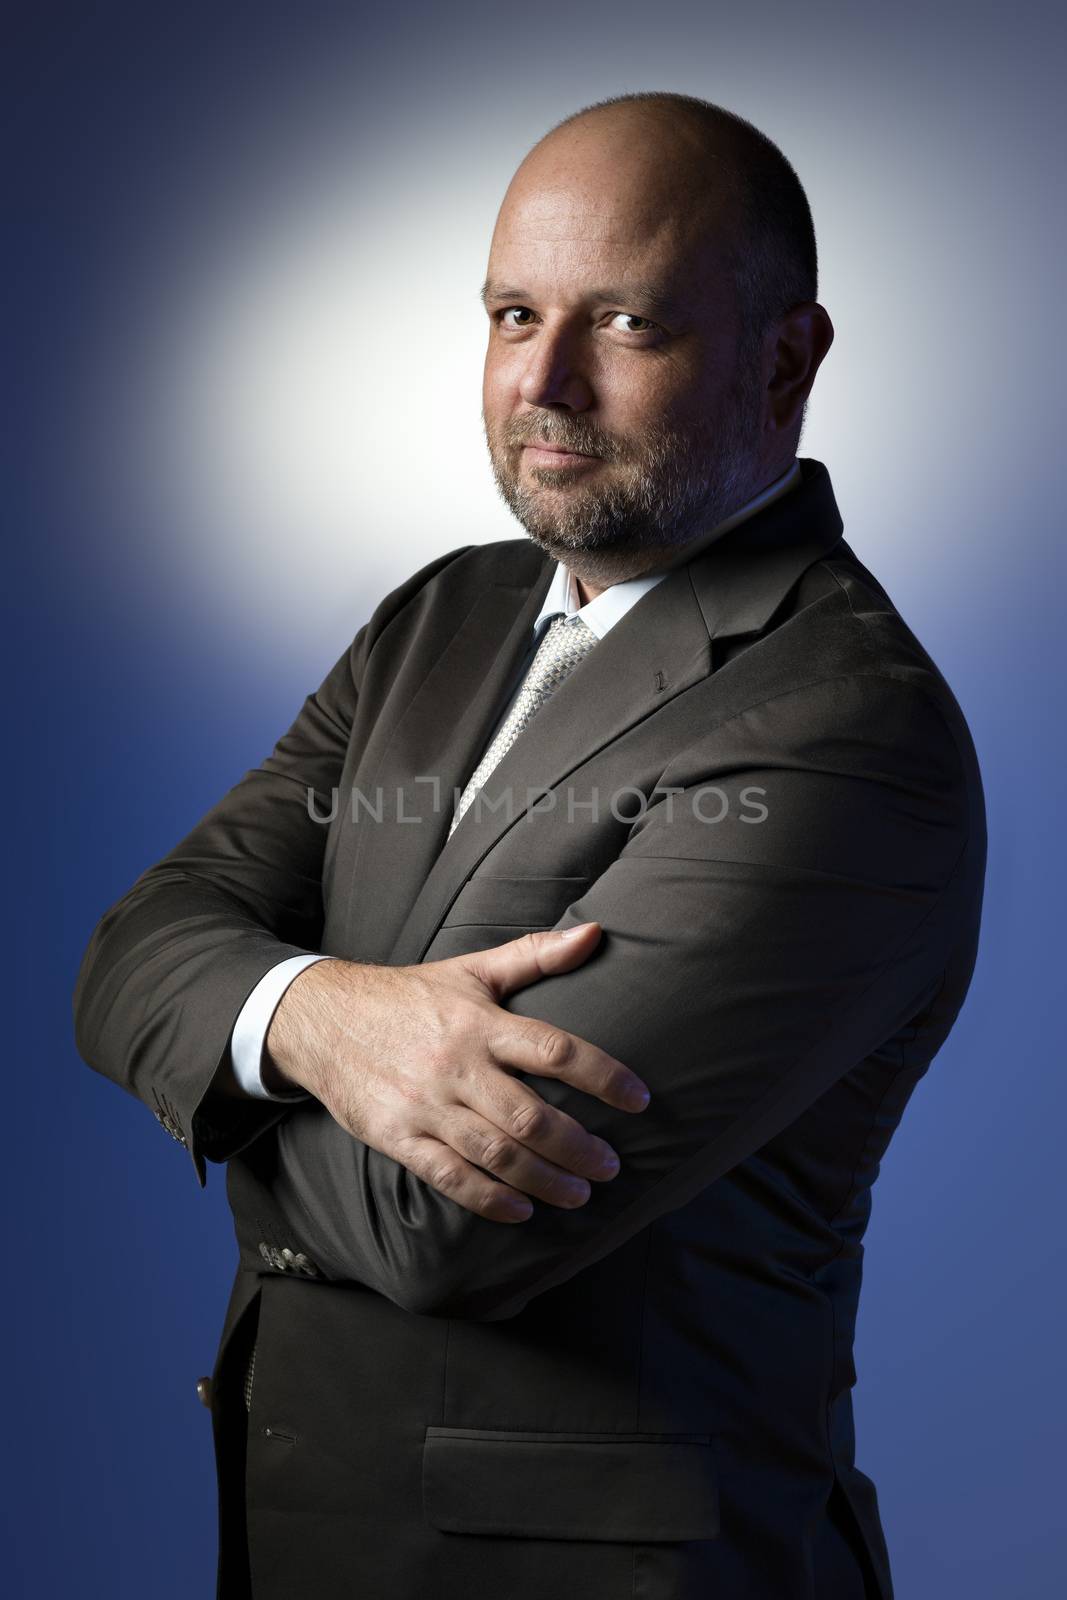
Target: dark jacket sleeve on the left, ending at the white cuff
(170, 966)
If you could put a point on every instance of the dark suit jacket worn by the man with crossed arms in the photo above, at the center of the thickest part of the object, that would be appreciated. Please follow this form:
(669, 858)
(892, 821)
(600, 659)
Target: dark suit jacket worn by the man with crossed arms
(649, 1396)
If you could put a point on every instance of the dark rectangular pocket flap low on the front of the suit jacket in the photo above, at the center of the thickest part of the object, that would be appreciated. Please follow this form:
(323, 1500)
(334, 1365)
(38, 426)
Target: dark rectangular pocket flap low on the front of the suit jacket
(629, 1487)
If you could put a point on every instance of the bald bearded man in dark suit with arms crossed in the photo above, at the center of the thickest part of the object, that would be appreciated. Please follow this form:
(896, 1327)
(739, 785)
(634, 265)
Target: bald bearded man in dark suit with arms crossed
(665, 798)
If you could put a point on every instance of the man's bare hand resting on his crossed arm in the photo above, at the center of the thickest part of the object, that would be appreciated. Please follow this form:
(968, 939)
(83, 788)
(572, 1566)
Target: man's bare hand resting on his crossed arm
(418, 1062)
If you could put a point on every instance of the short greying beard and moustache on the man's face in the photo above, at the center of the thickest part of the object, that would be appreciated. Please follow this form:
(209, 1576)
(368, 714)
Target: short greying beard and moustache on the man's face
(649, 500)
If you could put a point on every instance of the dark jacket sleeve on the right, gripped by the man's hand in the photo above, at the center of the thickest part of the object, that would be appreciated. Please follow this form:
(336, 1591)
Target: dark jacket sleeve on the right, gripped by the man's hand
(748, 962)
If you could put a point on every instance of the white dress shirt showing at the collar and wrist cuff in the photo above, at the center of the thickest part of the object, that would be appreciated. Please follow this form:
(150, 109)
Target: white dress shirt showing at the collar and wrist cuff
(601, 615)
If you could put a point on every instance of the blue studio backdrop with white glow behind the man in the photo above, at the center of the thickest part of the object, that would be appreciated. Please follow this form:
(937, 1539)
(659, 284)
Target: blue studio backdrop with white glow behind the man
(246, 350)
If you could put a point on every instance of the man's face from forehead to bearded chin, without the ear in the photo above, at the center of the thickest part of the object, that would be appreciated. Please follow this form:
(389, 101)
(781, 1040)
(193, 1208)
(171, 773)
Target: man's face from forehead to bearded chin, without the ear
(615, 337)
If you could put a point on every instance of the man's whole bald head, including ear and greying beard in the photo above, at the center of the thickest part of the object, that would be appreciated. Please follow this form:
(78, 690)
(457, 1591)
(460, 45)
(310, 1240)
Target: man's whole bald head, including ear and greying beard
(631, 332)
